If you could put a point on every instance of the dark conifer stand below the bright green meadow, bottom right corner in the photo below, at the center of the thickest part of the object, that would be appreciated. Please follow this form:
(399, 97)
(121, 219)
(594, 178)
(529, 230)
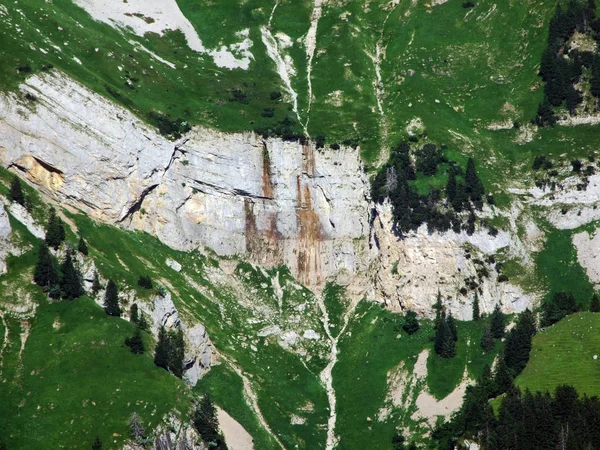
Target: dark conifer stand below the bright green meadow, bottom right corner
(526, 421)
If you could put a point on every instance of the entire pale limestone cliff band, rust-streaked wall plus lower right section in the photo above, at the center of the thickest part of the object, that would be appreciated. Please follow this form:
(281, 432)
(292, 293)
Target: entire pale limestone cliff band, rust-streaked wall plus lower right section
(270, 201)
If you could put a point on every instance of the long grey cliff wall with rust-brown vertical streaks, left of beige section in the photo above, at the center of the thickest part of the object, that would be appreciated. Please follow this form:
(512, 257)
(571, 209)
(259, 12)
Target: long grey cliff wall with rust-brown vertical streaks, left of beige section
(275, 202)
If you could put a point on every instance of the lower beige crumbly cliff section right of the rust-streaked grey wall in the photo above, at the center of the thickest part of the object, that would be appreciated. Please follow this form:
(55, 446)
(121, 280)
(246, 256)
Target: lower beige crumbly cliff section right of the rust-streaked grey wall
(410, 272)
